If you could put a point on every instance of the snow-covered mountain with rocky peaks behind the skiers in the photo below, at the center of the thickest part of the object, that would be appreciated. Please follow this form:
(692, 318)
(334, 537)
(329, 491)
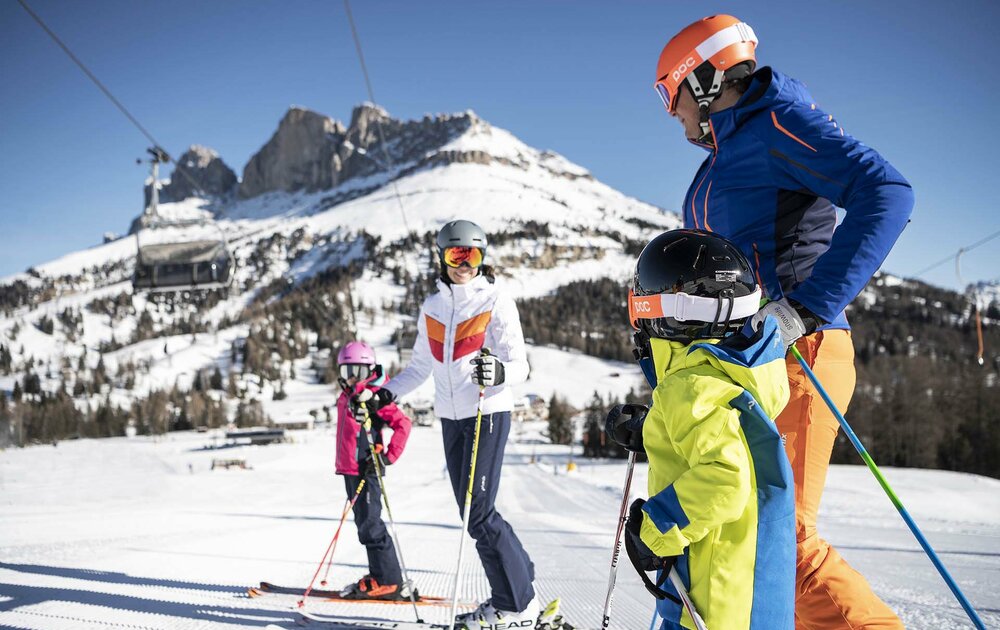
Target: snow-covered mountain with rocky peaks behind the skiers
(293, 219)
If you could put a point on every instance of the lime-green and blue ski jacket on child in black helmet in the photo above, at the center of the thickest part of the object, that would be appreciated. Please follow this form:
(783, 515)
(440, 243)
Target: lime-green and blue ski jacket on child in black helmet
(720, 485)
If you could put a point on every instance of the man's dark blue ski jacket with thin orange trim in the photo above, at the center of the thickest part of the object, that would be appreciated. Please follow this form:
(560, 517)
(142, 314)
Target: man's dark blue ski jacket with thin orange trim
(779, 167)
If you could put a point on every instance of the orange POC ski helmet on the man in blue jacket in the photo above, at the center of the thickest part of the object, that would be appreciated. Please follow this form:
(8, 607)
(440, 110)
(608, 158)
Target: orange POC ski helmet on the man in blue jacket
(722, 41)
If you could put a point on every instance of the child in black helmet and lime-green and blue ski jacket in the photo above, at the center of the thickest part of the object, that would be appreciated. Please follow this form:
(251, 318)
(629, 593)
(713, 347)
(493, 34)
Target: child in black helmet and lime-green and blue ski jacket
(721, 508)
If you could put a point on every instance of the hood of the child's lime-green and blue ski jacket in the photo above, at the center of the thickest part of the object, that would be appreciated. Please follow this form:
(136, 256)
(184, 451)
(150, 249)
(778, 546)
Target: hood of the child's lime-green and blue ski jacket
(755, 363)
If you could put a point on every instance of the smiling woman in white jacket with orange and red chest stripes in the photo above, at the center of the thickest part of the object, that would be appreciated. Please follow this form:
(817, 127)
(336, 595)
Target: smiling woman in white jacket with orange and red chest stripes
(470, 312)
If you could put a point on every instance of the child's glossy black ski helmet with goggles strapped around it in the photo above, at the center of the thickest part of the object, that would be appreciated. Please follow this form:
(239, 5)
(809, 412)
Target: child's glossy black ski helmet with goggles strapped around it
(692, 284)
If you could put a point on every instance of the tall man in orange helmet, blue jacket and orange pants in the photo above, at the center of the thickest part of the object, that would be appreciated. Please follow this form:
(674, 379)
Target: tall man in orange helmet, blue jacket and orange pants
(778, 166)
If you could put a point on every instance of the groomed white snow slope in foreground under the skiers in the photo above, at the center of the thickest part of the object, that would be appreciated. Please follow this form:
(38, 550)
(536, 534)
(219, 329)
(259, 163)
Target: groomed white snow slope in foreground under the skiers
(140, 533)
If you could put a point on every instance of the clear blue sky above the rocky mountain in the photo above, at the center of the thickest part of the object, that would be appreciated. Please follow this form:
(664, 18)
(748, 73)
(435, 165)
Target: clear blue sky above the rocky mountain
(915, 80)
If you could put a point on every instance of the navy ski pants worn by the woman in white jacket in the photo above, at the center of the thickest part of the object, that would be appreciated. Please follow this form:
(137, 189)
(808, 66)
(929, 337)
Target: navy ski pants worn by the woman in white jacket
(508, 567)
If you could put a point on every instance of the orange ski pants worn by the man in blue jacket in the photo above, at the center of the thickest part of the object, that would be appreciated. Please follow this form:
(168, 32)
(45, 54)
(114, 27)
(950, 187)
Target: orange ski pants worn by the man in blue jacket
(830, 595)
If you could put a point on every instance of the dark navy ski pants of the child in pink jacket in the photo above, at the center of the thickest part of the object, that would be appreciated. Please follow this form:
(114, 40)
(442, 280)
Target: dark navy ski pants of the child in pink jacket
(382, 562)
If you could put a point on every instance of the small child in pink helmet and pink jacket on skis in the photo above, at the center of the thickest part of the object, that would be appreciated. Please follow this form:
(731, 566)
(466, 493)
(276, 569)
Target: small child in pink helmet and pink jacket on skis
(359, 372)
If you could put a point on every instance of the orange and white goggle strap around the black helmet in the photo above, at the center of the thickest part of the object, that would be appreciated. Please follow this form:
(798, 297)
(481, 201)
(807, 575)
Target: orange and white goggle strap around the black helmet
(684, 307)
